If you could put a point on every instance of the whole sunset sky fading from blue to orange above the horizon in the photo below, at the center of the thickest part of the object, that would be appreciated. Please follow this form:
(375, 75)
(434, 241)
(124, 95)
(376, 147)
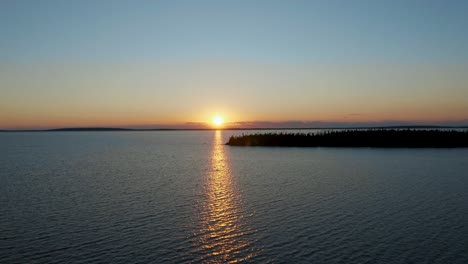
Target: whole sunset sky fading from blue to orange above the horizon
(154, 64)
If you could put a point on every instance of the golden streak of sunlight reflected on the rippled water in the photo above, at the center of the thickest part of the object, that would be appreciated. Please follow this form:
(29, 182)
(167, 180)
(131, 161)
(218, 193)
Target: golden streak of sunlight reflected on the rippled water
(223, 232)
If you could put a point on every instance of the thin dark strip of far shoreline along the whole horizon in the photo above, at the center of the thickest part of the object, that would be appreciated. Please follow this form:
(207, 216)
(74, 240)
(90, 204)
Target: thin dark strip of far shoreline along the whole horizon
(117, 129)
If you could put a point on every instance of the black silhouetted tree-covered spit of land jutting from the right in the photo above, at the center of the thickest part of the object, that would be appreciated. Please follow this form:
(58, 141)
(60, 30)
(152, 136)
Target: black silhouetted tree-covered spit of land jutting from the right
(379, 138)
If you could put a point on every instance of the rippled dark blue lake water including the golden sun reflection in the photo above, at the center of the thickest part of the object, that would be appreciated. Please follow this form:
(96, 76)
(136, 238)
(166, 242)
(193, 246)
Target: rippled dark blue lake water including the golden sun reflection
(184, 197)
